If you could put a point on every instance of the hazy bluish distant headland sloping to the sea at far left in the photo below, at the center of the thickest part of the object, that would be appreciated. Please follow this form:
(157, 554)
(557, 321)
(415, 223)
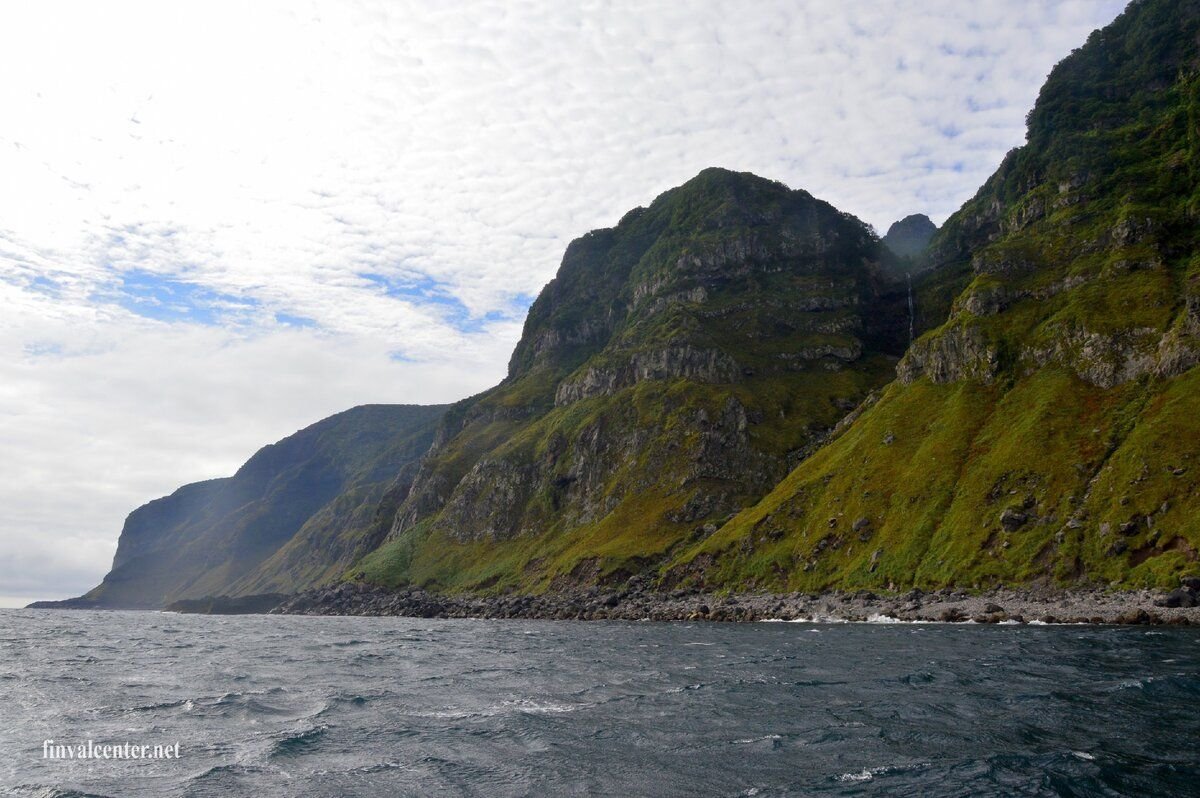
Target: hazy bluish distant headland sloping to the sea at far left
(299, 513)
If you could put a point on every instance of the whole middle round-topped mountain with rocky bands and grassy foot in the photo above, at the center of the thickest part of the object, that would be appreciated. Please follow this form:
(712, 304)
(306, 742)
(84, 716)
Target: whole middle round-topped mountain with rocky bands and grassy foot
(671, 374)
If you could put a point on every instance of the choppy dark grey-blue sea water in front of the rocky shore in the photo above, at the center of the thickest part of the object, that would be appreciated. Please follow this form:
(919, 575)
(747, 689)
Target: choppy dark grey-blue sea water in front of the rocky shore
(293, 706)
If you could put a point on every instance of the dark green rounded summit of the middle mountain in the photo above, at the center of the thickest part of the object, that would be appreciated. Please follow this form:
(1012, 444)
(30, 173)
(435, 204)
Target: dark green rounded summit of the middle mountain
(707, 235)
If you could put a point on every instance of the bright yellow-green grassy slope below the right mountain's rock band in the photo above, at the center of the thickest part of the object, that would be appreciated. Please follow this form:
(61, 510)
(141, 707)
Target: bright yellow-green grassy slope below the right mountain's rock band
(933, 469)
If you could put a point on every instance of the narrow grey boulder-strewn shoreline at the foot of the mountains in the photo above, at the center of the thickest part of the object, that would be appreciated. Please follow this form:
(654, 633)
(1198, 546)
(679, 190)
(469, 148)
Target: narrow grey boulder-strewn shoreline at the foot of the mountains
(635, 602)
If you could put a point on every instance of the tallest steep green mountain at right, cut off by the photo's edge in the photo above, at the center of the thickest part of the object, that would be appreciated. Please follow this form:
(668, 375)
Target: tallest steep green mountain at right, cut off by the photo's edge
(1049, 429)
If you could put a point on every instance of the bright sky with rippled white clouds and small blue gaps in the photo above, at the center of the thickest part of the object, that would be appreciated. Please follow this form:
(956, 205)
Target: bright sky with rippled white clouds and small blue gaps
(224, 221)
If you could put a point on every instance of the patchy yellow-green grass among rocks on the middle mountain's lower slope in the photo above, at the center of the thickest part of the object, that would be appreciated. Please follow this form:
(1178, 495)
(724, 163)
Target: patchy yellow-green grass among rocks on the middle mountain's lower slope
(640, 527)
